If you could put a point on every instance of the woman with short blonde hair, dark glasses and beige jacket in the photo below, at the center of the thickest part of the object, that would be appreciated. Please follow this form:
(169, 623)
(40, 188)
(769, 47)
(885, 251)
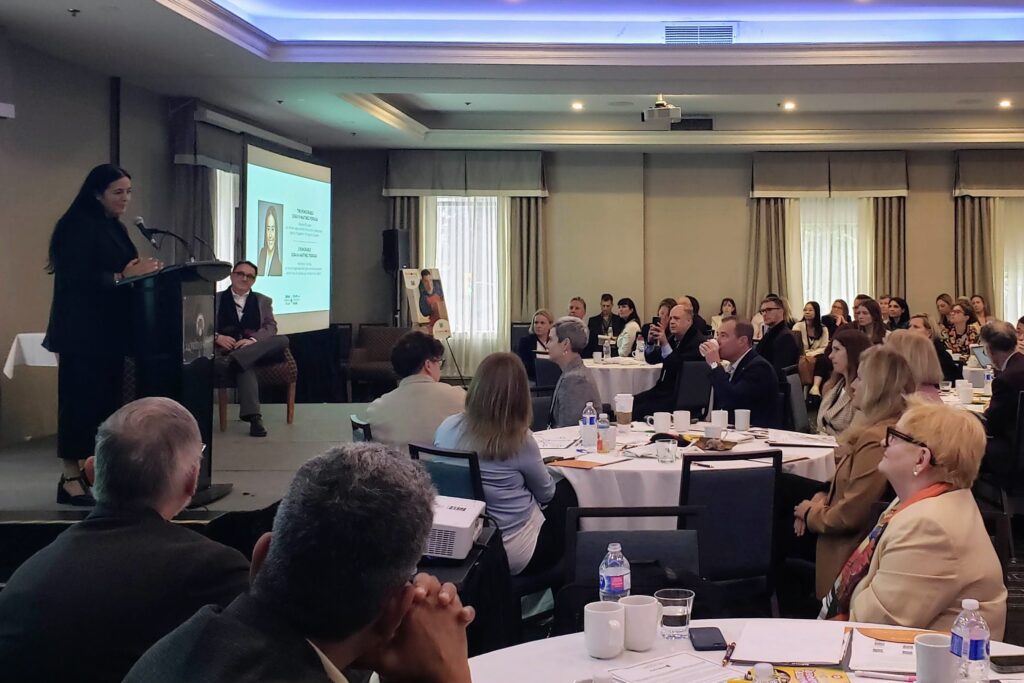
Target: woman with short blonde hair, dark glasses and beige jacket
(930, 549)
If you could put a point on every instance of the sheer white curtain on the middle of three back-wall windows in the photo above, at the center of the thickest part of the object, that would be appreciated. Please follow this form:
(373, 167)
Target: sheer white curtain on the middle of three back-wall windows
(837, 249)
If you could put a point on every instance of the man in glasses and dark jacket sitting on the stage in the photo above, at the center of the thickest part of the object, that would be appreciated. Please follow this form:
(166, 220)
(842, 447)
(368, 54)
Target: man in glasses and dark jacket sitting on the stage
(247, 334)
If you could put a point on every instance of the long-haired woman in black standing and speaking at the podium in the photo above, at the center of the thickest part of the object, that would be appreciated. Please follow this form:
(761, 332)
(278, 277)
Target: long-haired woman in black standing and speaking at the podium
(90, 327)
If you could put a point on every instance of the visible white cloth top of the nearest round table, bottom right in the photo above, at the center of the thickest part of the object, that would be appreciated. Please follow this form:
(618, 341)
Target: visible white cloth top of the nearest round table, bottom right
(565, 660)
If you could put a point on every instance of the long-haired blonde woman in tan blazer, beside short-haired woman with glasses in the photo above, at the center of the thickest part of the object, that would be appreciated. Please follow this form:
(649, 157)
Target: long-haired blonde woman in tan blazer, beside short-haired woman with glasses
(842, 517)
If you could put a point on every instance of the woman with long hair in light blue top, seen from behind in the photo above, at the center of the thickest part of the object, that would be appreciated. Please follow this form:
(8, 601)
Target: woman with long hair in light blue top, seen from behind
(496, 425)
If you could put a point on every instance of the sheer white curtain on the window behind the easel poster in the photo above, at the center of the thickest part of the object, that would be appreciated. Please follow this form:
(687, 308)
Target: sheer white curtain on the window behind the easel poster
(466, 238)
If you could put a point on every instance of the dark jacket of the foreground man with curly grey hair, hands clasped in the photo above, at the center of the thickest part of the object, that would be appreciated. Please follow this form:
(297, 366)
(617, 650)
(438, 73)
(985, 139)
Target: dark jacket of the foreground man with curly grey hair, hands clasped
(246, 642)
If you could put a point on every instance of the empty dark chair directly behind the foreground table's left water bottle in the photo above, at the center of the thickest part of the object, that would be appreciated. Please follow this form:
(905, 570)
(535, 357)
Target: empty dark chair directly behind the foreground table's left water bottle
(658, 558)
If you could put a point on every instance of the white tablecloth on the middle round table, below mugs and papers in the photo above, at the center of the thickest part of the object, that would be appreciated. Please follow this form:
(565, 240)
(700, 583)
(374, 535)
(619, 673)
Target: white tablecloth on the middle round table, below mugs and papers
(647, 483)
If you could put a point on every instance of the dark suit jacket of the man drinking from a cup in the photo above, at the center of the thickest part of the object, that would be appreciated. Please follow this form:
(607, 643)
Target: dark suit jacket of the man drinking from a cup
(753, 387)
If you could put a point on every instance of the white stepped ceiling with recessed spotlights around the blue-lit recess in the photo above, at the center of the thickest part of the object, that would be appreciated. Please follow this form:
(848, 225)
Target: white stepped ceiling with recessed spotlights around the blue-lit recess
(391, 96)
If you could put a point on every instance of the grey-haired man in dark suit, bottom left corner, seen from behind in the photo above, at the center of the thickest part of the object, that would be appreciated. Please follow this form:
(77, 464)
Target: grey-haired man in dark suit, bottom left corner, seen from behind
(88, 606)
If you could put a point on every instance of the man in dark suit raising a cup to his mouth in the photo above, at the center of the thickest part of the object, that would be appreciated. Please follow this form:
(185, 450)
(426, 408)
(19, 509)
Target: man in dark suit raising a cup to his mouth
(751, 382)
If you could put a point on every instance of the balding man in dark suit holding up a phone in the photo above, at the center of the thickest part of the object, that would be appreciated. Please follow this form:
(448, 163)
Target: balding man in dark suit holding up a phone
(680, 346)
